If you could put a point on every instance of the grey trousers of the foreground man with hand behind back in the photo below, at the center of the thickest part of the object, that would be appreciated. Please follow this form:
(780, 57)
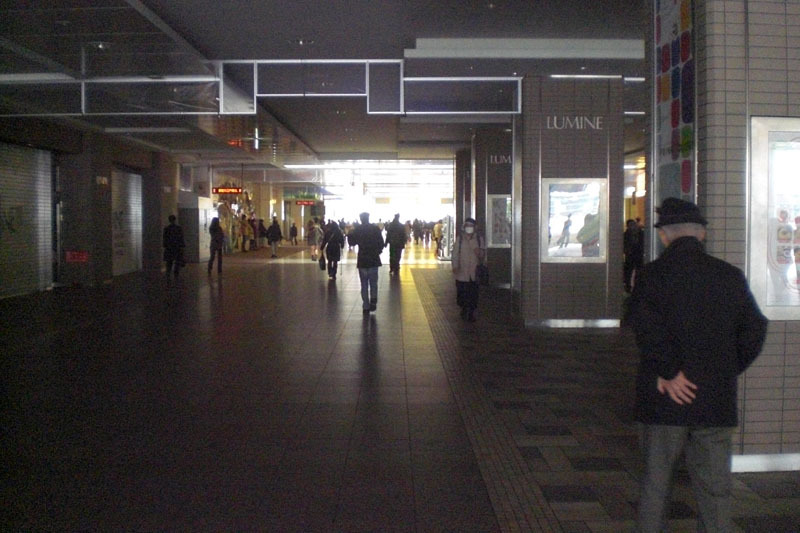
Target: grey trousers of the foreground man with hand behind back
(708, 459)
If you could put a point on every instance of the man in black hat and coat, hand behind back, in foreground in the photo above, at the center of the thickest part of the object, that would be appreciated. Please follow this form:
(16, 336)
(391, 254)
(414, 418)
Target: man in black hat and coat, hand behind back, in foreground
(697, 327)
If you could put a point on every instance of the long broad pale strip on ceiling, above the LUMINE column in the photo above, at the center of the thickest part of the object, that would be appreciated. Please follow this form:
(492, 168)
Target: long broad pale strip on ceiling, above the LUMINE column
(527, 49)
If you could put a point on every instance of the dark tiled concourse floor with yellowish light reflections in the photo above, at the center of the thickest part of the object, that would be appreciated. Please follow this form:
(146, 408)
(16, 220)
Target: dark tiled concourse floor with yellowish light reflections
(264, 400)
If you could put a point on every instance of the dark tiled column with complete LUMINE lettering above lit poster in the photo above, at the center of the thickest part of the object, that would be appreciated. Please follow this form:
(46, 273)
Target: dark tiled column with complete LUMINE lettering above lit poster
(572, 130)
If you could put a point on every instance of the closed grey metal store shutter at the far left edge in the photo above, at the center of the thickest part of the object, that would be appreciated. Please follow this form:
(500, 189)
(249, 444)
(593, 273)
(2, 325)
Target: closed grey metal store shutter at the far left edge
(26, 253)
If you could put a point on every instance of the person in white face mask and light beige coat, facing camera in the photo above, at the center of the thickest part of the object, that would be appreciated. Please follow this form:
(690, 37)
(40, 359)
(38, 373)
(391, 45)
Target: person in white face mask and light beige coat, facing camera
(467, 255)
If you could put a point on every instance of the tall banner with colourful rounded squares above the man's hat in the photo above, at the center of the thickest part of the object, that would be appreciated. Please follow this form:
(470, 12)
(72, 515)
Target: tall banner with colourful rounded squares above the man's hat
(675, 100)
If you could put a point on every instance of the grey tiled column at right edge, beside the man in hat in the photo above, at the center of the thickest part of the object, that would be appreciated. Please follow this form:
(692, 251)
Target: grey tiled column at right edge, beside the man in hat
(748, 64)
